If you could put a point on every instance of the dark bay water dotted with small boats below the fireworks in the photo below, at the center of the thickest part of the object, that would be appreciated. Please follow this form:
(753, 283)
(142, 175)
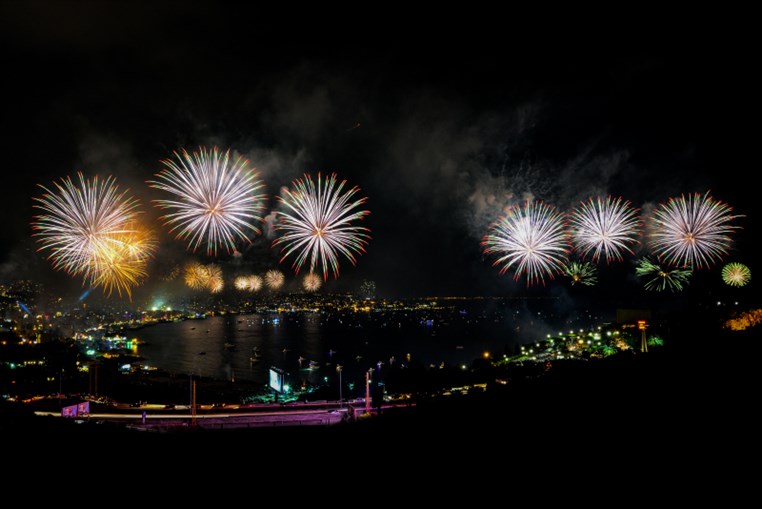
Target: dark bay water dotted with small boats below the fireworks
(221, 347)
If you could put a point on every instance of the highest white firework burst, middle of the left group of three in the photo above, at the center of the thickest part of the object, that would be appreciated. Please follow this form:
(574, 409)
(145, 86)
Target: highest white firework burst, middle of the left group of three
(217, 200)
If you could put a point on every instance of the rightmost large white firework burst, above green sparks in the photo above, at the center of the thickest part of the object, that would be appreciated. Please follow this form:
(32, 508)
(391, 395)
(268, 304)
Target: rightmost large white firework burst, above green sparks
(692, 232)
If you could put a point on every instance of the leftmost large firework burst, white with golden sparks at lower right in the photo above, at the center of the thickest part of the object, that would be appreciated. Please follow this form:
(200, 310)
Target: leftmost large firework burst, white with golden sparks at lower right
(91, 230)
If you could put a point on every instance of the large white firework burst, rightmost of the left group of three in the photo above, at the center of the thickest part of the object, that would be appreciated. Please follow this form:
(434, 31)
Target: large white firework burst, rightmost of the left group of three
(317, 224)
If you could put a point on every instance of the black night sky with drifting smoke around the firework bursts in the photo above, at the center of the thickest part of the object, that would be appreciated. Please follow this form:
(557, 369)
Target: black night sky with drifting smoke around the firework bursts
(441, 123)
